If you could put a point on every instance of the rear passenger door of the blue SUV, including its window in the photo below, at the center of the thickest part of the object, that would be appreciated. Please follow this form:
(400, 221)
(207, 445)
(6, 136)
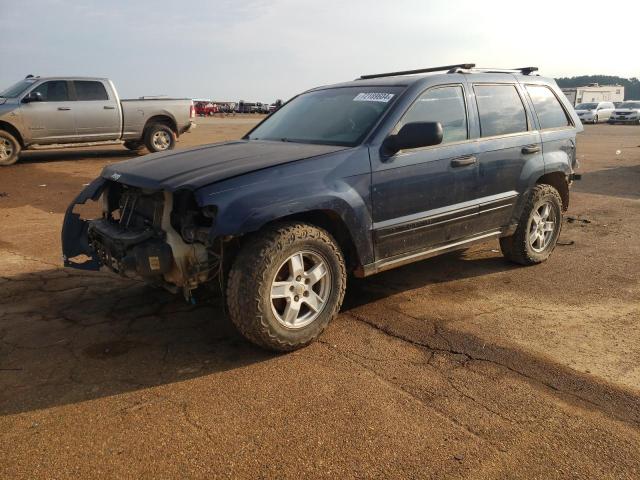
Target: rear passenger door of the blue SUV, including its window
(510, 148)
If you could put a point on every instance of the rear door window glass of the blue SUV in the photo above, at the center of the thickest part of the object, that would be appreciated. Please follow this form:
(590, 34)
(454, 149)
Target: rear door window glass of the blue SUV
(501, 110)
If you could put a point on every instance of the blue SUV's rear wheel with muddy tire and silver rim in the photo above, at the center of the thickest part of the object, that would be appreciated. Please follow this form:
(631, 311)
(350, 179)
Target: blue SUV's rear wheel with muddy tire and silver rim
(538, 229)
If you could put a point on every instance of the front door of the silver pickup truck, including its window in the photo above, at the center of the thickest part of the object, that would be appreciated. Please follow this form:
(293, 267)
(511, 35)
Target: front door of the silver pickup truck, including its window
(50, 120)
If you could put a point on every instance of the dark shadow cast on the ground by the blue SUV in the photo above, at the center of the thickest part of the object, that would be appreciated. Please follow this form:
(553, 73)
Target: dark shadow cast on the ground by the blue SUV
(67, 337)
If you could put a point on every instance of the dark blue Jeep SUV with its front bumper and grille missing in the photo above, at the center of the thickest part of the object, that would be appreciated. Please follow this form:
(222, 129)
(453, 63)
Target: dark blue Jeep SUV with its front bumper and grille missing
(354, 178)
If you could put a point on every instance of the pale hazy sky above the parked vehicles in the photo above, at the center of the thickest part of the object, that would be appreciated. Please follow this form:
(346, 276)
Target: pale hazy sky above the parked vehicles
(260, 50)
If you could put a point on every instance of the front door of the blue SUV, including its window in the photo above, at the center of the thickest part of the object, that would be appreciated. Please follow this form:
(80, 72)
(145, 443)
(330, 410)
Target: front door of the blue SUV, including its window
(426, 197)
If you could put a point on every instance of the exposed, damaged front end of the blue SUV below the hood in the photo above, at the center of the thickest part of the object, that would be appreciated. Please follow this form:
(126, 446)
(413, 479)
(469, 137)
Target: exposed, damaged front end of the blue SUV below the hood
(158, 236)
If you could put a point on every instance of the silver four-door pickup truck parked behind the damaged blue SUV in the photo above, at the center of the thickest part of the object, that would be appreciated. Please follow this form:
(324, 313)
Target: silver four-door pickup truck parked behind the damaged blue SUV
(55, 112)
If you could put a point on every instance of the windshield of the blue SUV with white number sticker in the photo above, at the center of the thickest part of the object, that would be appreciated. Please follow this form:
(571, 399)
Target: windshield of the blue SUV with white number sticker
(335, 116)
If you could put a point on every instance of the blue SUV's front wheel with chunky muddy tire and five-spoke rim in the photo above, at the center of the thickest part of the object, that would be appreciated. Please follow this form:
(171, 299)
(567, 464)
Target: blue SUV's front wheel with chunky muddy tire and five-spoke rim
(286, 284)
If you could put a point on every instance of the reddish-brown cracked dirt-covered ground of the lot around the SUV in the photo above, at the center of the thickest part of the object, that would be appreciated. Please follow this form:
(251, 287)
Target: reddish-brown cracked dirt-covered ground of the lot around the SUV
(461, 366)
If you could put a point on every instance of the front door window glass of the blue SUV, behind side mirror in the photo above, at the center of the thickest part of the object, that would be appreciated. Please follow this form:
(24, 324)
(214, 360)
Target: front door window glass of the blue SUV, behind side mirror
(444, 105)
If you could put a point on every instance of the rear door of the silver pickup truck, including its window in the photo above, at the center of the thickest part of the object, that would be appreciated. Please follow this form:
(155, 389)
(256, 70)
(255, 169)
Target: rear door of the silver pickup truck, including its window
(97, 113)
